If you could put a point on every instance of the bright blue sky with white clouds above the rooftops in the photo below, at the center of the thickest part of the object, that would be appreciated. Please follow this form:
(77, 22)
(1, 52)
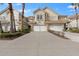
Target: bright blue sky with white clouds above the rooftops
(60, 8)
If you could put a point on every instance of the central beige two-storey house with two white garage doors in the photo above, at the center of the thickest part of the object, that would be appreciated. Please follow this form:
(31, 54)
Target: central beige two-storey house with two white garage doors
(47, 19)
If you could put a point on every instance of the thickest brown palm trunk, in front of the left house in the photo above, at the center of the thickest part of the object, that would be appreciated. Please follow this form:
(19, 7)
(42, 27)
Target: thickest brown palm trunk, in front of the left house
(13, 28)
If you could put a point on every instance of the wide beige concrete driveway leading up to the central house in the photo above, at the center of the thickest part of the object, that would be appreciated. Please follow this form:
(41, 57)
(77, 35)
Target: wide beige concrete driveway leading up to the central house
(39, 44)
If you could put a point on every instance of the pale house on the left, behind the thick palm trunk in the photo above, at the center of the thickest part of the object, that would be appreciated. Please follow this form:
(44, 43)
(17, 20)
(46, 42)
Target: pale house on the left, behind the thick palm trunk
(5, 19)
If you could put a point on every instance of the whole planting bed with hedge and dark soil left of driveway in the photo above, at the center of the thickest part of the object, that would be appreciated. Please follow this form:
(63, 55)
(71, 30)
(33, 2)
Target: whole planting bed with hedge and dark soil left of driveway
(11, 36)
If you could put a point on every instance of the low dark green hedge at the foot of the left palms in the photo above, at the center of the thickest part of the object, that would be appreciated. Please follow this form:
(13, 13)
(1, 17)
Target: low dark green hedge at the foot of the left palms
(15, 34)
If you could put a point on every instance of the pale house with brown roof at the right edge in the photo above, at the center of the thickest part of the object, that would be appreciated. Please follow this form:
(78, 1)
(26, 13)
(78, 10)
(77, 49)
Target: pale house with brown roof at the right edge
(73, 22)
